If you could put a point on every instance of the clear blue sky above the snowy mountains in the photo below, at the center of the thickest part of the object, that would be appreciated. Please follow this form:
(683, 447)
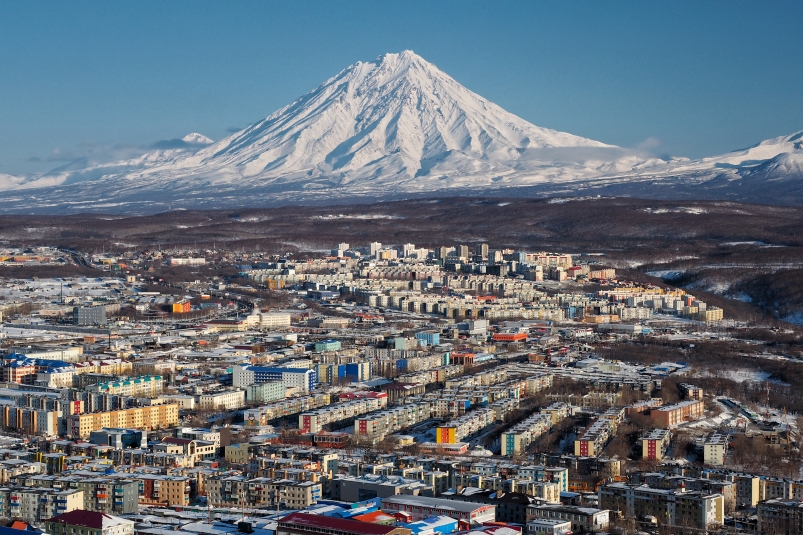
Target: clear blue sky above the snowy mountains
(693, 78)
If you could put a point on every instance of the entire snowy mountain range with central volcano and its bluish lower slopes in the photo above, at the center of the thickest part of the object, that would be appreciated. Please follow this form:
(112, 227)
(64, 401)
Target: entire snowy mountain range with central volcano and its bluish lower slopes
(397, 127)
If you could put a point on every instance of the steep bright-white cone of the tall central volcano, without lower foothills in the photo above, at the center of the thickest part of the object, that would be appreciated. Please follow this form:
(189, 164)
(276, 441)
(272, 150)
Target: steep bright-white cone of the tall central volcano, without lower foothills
(393, 118)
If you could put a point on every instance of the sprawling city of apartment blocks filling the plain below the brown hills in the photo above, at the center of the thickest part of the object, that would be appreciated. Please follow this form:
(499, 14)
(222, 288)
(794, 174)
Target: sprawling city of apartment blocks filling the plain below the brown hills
(371, 391)
